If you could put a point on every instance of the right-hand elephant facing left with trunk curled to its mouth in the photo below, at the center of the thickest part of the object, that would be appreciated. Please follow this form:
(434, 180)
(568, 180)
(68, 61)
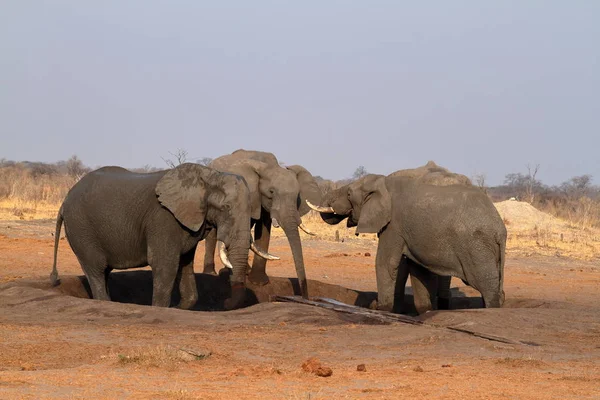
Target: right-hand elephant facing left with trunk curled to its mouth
(448, 230)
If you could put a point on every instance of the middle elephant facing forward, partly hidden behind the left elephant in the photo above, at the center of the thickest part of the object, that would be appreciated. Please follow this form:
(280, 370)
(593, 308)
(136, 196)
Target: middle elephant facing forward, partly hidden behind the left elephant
(278, 196)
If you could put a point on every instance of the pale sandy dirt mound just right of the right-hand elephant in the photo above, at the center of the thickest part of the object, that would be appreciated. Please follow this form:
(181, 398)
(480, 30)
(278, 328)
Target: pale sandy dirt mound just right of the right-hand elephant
(520, 215)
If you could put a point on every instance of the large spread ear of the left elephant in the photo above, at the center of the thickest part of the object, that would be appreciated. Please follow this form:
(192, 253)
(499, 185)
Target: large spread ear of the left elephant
(183, 191)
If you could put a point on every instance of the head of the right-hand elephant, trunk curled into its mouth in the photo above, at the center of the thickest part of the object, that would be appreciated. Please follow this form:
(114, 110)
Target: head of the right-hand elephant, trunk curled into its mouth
(366, 203)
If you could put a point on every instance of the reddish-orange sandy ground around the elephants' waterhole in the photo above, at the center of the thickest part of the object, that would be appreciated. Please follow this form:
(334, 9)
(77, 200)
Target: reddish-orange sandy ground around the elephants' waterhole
(58, 344)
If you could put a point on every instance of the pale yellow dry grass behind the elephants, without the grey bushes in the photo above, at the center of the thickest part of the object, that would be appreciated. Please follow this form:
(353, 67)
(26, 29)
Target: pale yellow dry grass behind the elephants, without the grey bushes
(27, 195)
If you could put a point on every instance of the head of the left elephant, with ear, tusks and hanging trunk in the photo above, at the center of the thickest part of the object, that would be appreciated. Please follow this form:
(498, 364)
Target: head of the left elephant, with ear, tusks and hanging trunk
(200, 197)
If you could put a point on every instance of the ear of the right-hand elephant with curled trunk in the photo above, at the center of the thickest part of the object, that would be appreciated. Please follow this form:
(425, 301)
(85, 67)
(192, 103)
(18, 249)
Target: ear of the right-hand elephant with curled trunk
(376, 210)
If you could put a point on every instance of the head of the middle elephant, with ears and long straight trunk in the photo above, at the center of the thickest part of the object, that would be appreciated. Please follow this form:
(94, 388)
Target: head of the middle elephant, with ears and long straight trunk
(281, 193)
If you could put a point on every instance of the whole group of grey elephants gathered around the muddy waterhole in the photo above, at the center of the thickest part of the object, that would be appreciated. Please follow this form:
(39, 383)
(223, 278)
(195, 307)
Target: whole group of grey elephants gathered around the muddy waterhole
(431, 224)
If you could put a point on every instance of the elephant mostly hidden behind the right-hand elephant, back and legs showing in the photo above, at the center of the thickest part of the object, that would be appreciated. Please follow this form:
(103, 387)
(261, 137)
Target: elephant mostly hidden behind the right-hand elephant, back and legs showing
(433, 174)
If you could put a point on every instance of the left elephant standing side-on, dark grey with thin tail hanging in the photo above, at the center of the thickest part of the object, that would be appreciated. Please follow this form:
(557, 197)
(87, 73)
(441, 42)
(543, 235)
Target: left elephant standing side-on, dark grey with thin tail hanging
(118, 219)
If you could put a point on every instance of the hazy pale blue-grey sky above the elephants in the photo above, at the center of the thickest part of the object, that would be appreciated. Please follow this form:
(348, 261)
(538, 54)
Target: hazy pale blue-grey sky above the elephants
(478, 87)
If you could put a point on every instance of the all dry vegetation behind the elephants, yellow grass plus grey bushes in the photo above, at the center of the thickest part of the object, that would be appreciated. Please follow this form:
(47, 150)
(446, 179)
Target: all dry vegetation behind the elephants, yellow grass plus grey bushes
(563, 220)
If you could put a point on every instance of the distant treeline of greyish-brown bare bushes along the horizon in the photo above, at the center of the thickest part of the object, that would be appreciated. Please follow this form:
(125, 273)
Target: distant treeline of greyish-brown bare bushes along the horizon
(576, 200)
